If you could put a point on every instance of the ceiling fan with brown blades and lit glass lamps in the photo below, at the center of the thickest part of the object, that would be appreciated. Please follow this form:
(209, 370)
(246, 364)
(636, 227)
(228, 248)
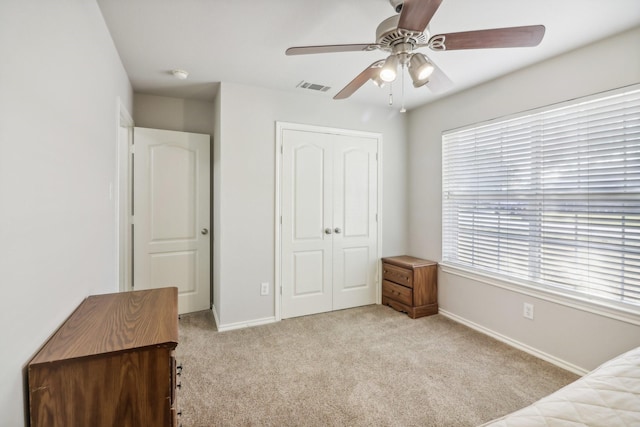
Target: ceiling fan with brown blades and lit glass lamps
(402, 34)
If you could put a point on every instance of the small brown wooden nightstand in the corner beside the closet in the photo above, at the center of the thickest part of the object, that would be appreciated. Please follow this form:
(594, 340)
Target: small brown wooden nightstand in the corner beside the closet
(410, 285)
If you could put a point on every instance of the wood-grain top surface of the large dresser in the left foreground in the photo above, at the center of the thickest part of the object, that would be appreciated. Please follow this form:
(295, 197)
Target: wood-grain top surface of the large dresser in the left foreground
(115, 322)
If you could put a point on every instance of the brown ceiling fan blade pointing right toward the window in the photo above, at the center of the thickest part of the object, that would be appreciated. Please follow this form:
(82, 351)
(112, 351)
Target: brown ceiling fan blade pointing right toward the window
(526, 36)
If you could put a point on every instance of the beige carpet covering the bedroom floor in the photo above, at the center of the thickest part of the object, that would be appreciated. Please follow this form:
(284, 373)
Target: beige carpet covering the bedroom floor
(367, 366)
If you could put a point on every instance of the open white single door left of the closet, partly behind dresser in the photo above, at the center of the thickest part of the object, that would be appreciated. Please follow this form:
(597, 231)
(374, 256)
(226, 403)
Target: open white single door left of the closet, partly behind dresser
(171, 214)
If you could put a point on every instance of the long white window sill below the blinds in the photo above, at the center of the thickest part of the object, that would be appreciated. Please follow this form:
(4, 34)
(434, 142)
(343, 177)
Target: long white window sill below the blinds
(567, 299)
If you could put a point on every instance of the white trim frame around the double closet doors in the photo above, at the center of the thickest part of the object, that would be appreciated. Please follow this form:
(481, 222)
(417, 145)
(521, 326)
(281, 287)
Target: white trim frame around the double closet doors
(280, 128)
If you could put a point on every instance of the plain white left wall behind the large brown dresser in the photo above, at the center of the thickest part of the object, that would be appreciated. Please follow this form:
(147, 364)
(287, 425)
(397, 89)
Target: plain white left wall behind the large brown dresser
(59, 82)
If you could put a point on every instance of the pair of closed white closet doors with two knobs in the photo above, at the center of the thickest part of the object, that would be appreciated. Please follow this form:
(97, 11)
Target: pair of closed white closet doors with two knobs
(329, 222)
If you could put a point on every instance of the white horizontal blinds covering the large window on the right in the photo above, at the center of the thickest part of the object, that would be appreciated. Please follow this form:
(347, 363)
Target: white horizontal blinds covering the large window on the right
(550, 198)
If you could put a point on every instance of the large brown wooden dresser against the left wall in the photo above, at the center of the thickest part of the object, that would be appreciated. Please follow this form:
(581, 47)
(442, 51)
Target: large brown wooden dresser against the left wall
(110, 364)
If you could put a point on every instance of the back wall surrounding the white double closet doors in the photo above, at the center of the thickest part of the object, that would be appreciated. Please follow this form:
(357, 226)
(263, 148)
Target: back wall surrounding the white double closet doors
(245, 174)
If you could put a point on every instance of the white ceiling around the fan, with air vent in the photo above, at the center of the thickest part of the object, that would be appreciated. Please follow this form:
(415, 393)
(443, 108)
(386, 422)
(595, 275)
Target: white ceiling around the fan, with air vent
(243, 41)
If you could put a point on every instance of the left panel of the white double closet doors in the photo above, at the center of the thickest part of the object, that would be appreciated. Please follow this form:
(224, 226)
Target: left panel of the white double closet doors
(307, 223)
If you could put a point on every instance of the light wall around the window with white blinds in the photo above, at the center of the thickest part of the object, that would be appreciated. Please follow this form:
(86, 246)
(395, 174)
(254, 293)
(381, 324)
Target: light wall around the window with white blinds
(581, 339)
